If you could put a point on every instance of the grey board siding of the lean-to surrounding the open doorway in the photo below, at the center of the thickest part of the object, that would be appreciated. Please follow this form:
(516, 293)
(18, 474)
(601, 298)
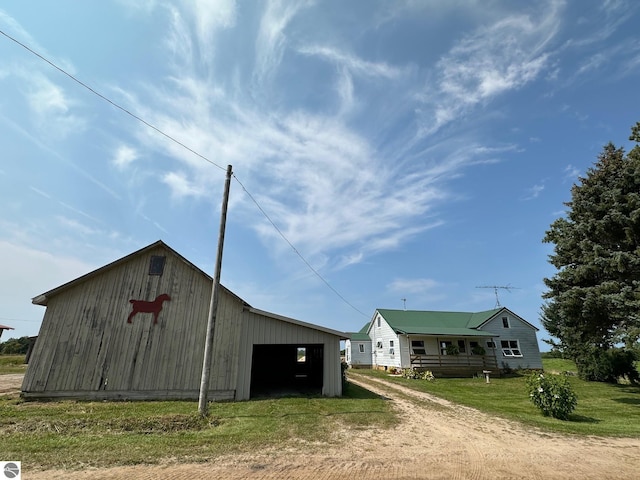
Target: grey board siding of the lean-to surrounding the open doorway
(258, 329)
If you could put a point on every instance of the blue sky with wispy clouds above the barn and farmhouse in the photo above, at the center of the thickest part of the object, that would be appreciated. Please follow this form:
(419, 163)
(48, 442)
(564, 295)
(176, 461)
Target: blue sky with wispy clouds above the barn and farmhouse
(408, 150)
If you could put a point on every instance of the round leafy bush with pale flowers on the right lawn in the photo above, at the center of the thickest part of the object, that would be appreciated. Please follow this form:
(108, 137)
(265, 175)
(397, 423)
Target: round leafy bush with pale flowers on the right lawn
(552, 394)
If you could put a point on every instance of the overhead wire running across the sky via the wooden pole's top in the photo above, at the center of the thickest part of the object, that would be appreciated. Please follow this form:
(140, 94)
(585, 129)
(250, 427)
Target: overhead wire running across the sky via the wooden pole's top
(203, 157)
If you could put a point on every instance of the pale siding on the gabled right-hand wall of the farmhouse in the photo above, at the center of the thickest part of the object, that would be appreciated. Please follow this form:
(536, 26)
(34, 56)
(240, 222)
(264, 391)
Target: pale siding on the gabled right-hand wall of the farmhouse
(518, 330)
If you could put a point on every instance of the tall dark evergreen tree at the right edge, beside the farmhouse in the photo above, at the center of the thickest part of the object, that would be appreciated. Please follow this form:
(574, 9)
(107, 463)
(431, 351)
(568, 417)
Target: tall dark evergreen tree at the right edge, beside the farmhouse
(593, 301)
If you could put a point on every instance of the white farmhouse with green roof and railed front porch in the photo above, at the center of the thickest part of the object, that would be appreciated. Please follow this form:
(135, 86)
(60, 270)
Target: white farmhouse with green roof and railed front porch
(447, 343)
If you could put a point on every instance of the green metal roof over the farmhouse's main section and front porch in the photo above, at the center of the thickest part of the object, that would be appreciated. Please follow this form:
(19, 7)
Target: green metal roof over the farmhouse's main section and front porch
(438, 323)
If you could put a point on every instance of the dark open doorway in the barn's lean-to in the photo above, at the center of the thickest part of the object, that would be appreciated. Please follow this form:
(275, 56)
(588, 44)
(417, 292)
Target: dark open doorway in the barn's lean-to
(283, 370)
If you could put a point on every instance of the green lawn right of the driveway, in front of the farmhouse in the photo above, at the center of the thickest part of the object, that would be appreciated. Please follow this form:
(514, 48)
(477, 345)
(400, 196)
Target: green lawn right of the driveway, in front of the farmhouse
(603, 409)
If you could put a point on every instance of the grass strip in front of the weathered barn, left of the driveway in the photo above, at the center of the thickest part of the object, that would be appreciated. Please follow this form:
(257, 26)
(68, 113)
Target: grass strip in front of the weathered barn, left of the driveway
(73, 434)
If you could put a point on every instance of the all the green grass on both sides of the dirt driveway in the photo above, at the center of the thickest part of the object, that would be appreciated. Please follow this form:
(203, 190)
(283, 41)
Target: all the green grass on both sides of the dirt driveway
(70, 434)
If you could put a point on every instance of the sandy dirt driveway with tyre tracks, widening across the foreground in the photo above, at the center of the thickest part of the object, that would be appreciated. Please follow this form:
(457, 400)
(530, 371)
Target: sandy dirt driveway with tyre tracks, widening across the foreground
(435, 440)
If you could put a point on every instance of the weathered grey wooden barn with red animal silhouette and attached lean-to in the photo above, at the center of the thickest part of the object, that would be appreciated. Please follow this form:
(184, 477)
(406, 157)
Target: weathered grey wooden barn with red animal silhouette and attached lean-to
(135, 329)
